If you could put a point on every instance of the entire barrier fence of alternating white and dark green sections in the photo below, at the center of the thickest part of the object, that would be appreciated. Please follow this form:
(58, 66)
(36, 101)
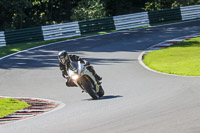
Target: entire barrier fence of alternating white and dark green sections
(121, 22)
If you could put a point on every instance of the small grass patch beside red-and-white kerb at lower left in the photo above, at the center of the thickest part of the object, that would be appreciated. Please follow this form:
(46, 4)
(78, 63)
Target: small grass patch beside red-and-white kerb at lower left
(10, 105)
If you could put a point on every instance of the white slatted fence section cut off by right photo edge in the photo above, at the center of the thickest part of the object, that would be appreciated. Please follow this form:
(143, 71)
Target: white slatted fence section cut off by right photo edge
(190, 12)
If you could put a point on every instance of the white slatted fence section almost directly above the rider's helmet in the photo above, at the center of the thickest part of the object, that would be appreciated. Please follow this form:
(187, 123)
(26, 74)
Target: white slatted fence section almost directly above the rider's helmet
(58, 31)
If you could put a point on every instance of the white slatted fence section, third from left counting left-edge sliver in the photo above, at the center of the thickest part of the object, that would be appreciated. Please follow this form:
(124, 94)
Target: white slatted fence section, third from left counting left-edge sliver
(131, 20)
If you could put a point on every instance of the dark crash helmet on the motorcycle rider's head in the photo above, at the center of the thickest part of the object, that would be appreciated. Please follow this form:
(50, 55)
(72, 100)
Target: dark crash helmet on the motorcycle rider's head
(63, 57)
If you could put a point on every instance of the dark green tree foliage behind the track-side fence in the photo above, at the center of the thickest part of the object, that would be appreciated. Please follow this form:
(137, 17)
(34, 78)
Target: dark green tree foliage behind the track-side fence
(16, 14)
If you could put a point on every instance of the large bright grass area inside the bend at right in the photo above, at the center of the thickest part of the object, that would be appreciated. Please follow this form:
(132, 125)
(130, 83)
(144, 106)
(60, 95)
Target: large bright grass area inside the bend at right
(183, 58)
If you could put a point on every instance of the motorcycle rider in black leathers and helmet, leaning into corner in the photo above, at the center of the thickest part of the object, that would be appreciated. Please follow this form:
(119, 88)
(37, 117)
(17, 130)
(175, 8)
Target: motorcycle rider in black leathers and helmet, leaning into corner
(64, 64)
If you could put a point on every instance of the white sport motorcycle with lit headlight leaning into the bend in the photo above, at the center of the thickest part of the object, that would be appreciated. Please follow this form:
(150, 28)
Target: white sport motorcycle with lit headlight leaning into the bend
(83, 78)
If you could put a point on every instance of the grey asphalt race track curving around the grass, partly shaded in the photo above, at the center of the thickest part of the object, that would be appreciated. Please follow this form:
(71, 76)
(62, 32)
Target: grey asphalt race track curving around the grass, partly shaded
(136, 100)
